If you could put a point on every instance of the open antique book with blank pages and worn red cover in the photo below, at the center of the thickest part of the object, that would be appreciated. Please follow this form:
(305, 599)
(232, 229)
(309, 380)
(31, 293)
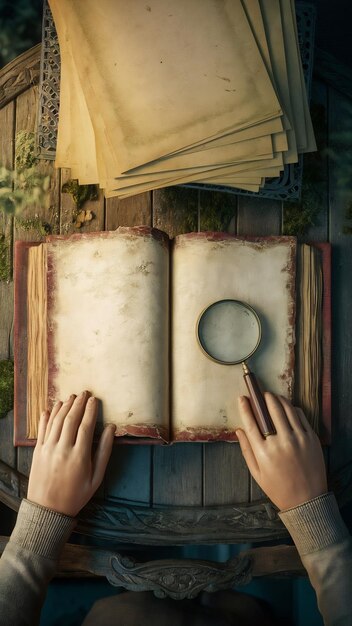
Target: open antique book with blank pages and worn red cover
(116, 312)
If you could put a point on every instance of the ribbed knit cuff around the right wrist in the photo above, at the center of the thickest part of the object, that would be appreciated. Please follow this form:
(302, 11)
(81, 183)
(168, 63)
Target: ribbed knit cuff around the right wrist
(315, 524)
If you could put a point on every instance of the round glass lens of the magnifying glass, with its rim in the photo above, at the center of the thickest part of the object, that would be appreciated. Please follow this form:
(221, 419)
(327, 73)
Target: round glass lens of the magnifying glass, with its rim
(229, 331)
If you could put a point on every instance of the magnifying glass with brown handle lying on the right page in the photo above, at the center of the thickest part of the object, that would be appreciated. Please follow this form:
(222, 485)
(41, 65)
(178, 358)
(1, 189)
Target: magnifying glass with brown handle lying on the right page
(229, 332)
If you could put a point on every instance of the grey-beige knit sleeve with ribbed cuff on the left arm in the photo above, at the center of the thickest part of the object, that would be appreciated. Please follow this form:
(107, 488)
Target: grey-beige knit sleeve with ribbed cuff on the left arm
(29, 562)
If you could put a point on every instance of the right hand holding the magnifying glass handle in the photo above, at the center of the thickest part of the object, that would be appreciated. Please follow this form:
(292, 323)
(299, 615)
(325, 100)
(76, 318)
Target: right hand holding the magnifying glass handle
(288, 466)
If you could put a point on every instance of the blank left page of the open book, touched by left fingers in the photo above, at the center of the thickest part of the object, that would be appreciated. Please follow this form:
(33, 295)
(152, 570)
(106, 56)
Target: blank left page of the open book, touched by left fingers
(108, 325)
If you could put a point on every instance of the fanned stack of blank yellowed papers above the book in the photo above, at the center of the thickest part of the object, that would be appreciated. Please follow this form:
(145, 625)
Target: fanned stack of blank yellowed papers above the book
(164, 92)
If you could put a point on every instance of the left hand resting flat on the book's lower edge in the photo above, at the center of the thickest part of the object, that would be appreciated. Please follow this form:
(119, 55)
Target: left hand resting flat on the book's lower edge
(64, 476)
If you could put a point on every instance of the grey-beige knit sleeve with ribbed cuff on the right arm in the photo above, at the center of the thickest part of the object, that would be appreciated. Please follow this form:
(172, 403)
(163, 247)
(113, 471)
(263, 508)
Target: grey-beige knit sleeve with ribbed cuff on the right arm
(325, 547)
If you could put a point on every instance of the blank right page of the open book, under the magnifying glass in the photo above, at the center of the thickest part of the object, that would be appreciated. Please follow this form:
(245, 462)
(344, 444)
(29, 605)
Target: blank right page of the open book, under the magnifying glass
(207, 267)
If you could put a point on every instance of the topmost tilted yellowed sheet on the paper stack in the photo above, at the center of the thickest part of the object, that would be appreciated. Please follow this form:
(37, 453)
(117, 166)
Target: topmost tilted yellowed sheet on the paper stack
(144, 128)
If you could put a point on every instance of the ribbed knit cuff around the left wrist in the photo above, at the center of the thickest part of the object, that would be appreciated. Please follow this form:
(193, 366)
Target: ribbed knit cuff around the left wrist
(41, 530)
